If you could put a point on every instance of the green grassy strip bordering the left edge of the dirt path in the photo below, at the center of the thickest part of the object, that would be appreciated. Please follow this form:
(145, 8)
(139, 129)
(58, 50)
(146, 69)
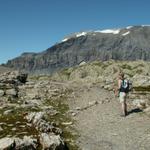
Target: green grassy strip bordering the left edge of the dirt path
(69, 133)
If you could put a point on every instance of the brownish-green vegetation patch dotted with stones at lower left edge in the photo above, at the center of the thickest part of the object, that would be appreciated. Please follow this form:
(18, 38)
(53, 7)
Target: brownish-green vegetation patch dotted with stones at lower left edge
(14, 124)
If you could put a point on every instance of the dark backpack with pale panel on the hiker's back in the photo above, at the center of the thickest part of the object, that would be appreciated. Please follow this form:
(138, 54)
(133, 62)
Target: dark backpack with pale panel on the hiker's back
(126, 86)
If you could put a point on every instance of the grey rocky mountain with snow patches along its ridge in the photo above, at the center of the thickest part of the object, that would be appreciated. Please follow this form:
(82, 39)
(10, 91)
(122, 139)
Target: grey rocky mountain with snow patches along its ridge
(130, 43)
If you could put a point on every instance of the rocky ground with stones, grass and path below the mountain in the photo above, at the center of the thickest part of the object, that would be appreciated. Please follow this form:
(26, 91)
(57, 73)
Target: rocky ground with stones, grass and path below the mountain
(75, 109)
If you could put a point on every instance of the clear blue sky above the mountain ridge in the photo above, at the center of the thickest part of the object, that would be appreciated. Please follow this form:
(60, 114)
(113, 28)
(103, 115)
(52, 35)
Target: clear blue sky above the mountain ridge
(35, 25)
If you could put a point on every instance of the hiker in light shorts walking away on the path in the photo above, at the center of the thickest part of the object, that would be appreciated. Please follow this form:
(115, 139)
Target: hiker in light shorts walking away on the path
(121, 91)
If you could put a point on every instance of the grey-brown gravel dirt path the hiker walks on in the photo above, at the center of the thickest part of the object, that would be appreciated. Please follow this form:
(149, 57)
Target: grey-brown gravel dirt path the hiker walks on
(102, 128)
